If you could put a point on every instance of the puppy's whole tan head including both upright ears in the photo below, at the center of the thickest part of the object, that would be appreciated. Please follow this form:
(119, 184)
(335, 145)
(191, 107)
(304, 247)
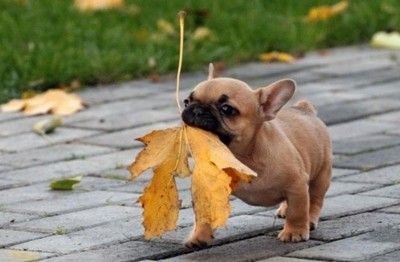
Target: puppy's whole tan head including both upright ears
(230, 109)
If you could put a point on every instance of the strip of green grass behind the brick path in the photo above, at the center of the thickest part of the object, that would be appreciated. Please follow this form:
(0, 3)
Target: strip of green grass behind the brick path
(45, 43)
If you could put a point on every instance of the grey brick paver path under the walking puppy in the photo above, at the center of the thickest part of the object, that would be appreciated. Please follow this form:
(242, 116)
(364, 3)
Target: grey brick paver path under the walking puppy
(357, 92)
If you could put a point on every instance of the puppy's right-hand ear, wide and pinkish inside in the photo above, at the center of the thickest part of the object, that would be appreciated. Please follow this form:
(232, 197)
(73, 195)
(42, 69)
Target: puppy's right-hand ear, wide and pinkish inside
(274, 96)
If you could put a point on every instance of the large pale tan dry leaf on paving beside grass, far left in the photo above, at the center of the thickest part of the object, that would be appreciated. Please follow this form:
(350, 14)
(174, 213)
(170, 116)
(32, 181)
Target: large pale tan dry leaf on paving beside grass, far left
(56, 101)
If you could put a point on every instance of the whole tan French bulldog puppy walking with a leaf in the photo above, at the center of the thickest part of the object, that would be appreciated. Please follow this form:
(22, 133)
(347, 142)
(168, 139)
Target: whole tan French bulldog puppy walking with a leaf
(290, 149)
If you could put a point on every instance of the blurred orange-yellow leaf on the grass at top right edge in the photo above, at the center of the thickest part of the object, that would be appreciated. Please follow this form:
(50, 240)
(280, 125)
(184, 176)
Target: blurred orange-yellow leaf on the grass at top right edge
(321, 13)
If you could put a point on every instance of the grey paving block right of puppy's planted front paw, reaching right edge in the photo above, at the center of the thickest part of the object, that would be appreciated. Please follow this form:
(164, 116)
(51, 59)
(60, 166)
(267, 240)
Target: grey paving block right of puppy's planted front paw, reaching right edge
(353, 225)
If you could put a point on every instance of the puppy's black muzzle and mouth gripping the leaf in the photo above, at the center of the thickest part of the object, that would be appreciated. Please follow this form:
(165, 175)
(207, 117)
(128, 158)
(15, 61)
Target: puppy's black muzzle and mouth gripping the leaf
(207, 118)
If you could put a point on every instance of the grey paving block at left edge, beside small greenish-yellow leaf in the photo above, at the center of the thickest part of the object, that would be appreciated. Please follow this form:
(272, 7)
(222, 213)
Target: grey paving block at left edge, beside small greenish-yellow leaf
(20, 125)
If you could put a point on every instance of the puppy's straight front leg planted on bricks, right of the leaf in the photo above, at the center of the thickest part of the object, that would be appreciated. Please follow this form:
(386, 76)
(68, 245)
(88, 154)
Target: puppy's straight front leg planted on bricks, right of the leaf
(296, 226)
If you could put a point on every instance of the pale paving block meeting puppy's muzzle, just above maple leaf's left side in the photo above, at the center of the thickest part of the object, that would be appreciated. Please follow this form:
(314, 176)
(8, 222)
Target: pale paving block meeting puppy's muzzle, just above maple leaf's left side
(126, 138)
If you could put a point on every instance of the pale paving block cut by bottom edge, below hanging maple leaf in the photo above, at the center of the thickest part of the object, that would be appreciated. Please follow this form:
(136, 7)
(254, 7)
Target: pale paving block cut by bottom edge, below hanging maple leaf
(129, 251)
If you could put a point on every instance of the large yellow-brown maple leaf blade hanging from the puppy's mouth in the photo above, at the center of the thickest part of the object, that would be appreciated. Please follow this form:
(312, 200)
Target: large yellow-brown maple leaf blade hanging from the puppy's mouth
(216, 173)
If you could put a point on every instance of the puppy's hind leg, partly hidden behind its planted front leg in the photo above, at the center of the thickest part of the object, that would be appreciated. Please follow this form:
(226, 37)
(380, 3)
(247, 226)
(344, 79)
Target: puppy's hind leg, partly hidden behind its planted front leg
(317, 189)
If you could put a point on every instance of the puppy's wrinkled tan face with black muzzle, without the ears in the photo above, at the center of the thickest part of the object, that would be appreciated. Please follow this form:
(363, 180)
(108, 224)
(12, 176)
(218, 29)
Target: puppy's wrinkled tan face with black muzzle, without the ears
(223, 106)
